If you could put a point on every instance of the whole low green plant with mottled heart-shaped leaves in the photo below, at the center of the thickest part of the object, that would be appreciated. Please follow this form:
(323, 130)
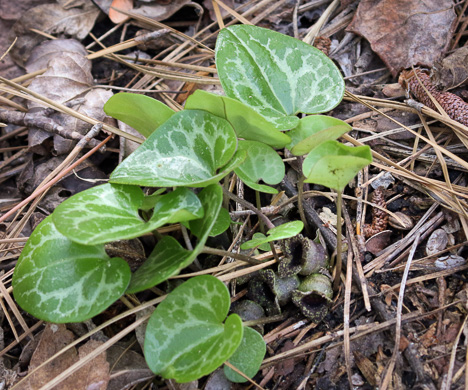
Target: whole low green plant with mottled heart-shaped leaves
(64, 273)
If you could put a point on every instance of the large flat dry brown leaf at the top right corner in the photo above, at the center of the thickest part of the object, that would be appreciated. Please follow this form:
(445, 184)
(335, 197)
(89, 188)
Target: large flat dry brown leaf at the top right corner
(405, 33)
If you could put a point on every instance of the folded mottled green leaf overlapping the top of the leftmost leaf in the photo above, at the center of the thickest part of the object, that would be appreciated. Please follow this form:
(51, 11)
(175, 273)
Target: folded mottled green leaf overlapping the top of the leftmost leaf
(110, 212)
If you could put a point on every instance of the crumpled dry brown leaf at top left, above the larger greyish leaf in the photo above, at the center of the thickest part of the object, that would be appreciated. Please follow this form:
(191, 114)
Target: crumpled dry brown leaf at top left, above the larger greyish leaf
(52, 19)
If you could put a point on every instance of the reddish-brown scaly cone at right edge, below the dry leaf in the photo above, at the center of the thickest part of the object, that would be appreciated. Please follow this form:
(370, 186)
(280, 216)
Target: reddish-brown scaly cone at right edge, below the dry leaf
(455, 107)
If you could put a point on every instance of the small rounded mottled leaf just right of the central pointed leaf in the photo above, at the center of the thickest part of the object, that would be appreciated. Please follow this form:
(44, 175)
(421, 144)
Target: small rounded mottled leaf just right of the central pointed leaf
(262, 163)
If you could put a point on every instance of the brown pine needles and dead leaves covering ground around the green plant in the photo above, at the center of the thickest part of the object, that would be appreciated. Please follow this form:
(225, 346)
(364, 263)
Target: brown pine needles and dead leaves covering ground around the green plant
(422, 147)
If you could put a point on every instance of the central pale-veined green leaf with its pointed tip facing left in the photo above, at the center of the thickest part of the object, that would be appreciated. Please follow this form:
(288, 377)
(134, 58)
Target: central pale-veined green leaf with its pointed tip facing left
(187, 150)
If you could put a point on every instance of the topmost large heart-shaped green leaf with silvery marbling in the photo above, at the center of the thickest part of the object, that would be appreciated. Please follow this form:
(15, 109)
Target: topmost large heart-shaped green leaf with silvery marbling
(277, 75)
